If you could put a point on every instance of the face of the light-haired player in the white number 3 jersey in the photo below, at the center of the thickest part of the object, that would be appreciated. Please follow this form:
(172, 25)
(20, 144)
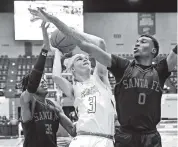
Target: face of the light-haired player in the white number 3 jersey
(82, 64)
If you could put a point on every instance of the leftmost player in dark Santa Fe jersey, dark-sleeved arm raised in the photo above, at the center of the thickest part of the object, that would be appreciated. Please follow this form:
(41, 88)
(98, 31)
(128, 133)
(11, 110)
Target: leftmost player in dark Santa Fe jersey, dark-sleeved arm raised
(41, 117)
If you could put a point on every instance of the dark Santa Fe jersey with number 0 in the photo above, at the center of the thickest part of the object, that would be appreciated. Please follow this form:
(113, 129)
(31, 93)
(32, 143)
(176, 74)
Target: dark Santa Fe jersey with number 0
(138, 92)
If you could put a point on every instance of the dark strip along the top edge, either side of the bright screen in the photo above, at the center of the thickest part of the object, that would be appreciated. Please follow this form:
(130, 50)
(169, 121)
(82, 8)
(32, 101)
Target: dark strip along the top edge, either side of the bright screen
(114, 6)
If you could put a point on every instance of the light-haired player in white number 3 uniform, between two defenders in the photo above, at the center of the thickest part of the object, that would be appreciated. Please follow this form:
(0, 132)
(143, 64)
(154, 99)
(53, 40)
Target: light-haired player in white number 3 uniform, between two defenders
(92, 97)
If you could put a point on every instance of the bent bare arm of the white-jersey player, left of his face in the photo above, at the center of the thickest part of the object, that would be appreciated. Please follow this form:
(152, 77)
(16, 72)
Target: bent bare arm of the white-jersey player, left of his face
(61, 82)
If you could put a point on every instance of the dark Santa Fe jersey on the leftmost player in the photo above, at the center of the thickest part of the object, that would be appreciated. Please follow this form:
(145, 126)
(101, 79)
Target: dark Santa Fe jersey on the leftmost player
(41, 130)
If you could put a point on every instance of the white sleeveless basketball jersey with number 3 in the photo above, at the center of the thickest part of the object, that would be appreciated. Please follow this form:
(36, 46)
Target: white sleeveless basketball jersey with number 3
(95, 109)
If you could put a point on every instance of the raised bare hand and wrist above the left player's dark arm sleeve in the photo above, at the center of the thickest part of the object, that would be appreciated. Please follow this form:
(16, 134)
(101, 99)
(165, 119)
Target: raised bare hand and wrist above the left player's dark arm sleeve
(46, 43)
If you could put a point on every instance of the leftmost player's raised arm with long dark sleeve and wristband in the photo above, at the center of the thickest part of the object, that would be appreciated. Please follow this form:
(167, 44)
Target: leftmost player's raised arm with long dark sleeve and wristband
(31, 82)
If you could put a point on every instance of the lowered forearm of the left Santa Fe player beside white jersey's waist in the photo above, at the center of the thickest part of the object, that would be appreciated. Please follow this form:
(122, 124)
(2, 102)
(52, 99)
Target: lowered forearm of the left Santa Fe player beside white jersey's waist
(67, 124)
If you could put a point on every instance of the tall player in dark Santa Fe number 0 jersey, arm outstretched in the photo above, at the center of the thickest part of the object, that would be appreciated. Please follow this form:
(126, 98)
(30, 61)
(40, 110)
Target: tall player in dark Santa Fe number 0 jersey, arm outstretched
(139, 85)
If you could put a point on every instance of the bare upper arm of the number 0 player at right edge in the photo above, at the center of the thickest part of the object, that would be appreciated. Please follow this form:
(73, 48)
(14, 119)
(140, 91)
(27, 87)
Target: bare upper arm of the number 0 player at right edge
(172, 59)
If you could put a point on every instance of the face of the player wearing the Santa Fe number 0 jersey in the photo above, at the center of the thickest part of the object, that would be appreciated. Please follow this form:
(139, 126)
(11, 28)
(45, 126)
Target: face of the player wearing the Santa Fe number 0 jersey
(144, 47)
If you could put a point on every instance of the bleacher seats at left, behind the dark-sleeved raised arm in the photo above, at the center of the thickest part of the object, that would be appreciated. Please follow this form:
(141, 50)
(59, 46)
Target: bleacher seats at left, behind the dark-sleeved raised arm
(12, 71)
